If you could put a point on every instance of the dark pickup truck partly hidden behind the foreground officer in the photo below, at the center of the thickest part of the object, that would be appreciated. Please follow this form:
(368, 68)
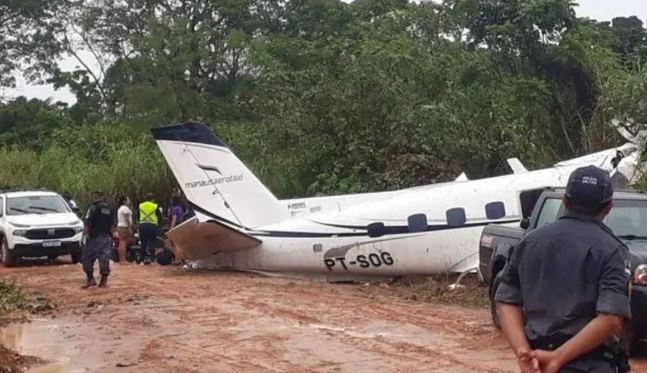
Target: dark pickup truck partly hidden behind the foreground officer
(627, 219)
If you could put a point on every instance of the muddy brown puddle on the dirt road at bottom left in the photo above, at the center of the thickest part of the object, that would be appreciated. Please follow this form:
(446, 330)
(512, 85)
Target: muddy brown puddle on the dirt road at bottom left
(50, 340)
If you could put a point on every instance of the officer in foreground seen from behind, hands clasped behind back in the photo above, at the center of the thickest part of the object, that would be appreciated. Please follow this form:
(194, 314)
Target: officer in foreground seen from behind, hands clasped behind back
(565, 291)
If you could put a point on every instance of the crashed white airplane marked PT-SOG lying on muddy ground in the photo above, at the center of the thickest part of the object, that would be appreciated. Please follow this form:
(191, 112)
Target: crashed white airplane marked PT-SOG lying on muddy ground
(241, 225)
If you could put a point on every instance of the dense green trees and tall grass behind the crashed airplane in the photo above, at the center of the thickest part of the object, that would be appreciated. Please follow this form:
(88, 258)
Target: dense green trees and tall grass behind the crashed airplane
(317, 96)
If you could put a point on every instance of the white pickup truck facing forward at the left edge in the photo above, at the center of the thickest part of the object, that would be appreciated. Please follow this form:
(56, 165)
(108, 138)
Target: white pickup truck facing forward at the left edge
(37, 224)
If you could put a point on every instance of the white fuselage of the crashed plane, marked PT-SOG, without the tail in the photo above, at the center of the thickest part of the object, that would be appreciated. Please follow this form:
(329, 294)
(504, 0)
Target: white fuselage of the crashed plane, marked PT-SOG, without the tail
(336, 244)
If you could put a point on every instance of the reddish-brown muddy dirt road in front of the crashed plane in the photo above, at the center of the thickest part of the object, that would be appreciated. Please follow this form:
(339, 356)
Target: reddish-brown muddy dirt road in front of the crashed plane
(163, 319)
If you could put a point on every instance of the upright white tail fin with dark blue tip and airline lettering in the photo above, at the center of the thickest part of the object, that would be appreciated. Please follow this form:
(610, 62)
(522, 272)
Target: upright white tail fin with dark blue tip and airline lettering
(213, 179)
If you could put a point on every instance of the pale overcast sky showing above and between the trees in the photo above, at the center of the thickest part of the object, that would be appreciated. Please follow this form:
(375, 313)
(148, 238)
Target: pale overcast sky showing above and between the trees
(603, 10)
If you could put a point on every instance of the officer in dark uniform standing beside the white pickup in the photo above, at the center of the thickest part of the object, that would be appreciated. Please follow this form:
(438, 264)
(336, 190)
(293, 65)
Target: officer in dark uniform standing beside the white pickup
(99, 224)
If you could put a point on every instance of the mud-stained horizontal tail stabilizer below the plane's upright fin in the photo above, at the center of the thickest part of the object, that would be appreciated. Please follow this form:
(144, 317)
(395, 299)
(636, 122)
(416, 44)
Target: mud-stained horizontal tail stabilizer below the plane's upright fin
(194, 240)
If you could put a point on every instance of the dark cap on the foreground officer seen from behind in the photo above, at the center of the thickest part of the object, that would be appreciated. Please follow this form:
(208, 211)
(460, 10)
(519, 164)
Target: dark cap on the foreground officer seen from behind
(589, 186)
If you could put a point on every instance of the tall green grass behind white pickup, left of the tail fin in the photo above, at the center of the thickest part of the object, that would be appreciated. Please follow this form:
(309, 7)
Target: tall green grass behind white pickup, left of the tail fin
(131, 168)
